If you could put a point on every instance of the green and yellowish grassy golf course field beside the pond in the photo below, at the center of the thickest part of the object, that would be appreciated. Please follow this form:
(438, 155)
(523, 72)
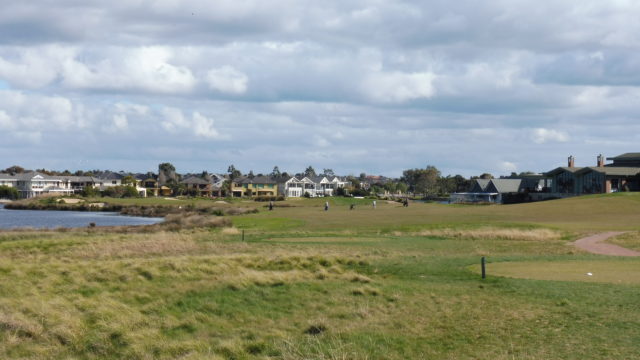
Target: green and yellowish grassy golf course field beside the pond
(384, 283)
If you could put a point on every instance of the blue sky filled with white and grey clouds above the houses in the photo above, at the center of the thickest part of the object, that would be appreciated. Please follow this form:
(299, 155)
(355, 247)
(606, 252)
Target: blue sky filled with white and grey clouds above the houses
(372, 86)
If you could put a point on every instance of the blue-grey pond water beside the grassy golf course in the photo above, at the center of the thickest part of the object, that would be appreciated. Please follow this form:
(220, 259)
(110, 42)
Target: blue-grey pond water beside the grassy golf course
(44, 219)
